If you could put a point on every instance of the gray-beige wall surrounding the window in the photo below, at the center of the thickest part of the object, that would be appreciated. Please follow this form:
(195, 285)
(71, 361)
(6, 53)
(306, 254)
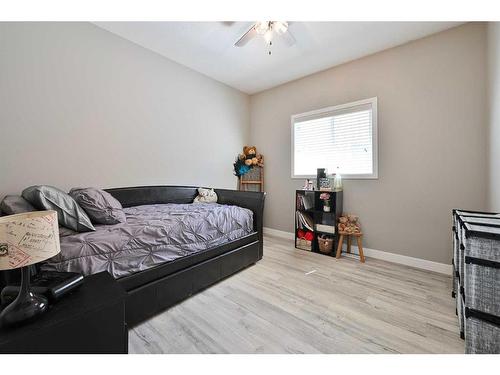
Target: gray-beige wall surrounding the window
(432, 139)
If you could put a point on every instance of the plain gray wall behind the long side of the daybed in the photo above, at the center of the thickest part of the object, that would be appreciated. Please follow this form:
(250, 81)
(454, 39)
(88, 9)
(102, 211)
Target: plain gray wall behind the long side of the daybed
(80, 106)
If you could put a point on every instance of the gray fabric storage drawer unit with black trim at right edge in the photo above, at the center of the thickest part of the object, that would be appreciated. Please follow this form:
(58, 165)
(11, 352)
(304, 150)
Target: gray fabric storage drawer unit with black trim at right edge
(476, 262)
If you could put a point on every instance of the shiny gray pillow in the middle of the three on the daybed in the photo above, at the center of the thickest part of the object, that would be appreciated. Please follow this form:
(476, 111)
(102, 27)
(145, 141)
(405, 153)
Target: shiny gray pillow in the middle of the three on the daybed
(69, 213)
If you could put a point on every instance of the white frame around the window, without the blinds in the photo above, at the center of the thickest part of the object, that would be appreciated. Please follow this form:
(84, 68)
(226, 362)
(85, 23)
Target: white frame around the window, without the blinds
(373, 102)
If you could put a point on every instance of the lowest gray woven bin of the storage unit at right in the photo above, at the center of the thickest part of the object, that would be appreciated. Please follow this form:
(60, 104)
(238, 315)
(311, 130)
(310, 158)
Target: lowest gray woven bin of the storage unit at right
(481, 337)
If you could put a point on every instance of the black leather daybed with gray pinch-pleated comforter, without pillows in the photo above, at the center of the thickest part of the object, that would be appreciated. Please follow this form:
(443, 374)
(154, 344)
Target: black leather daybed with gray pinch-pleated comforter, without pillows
(154, 286)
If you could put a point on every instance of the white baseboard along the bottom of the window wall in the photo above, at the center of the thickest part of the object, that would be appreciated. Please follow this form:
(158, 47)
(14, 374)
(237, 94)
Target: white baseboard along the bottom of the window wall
(383, 255)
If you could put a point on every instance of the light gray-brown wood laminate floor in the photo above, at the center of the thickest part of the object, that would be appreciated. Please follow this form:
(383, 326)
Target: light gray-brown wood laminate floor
(293, 301)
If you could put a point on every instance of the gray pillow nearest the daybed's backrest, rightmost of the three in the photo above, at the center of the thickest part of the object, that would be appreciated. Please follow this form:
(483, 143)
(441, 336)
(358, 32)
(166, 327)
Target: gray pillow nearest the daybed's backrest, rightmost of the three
(101, 206)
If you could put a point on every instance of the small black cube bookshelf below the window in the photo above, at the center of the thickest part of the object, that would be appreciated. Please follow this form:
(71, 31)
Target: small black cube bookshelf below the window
(309, 213)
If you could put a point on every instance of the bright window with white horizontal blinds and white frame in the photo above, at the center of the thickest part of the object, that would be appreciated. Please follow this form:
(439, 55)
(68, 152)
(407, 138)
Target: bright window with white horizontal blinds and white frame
(341, 138)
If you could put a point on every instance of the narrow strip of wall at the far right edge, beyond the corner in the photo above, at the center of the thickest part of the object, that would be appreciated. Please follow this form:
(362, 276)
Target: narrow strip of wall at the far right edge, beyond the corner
(494, 115)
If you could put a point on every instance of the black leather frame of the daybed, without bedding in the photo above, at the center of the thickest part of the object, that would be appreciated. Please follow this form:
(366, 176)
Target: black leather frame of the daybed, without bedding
(158, 288)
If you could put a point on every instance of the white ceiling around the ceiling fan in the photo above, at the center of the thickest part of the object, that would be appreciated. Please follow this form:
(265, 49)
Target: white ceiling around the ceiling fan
(208, 47)
